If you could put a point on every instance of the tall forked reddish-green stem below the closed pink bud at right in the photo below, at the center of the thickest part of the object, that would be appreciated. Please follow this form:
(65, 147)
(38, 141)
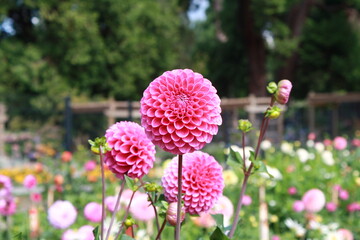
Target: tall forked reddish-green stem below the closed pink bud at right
(247, 172)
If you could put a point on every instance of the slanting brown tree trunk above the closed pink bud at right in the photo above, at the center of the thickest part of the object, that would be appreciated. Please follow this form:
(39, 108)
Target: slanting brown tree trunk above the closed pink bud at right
(296, 21)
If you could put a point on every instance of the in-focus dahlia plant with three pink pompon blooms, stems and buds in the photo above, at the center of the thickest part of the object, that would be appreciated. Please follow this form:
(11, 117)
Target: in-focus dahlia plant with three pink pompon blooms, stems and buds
(180, 113)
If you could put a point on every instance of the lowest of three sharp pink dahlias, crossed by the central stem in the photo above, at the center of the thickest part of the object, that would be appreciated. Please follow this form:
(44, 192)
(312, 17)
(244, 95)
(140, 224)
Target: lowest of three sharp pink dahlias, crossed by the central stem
(202, 180)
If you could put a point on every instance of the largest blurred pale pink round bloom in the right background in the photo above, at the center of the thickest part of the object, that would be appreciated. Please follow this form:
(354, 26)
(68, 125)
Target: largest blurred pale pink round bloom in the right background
(314, 200)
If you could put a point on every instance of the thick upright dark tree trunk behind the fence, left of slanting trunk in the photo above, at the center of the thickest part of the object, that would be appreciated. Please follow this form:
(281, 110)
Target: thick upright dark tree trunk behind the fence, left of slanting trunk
(255, 49)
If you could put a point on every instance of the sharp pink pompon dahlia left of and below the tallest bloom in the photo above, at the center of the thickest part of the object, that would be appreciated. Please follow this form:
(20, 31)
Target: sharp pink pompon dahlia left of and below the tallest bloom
(132, 154)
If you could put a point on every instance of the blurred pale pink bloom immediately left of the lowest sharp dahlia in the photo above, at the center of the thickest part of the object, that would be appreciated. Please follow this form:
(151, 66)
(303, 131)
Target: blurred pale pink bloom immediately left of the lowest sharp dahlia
(141, 209)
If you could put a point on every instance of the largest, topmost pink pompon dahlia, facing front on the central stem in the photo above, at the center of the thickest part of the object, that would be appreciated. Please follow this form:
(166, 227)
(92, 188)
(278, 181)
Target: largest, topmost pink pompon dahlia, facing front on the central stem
(180, 111)
